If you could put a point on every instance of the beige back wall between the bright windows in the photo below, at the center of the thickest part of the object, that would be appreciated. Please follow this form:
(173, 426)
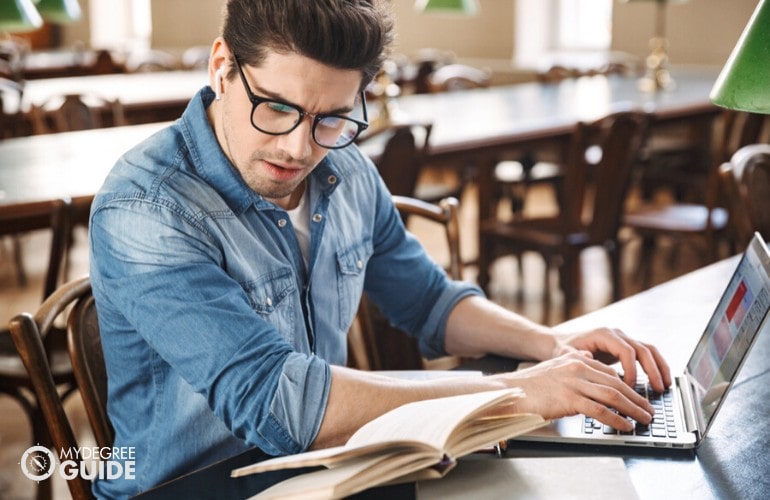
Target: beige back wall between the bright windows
(699, 32)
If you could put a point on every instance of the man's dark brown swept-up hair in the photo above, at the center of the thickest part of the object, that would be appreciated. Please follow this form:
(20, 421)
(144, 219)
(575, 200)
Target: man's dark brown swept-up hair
(344, 34)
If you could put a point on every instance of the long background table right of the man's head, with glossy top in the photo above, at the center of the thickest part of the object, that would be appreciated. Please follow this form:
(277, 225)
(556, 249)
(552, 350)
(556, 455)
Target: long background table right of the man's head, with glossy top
(481, 126)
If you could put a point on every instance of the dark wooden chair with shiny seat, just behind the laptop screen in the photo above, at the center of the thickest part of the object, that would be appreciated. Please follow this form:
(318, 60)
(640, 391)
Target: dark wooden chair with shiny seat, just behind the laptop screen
(704, 224)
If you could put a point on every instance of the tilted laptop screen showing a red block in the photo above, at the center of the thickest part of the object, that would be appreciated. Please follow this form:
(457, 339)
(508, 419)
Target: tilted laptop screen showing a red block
(731, 330)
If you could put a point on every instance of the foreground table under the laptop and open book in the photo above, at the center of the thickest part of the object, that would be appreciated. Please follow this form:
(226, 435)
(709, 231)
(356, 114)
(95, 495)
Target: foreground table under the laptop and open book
(728, 464)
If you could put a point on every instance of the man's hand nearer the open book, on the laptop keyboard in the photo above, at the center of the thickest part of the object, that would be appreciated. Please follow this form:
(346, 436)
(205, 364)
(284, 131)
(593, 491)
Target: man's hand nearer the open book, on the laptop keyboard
(575, 383)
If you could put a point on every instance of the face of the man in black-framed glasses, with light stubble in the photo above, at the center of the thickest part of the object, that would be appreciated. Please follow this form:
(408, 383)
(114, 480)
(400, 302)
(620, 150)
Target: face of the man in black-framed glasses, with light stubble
(274, 166)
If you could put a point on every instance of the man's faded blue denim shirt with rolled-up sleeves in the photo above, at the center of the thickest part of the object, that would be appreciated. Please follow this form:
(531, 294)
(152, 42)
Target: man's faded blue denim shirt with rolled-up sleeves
(216, 337)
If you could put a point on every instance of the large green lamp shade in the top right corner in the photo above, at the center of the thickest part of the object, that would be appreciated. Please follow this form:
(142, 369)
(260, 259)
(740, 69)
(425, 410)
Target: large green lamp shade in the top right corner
(744, 83)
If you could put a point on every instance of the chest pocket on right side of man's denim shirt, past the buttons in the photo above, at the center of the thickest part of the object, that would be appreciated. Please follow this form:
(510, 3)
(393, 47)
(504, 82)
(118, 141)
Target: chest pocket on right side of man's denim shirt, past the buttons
(351, 264)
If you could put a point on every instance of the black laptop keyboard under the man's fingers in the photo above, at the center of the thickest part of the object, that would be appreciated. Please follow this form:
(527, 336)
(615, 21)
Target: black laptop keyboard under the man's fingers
(663, 424)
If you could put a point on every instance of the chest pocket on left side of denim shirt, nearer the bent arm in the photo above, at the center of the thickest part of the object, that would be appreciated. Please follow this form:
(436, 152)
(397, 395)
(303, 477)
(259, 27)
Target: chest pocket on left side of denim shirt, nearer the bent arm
(270, 295)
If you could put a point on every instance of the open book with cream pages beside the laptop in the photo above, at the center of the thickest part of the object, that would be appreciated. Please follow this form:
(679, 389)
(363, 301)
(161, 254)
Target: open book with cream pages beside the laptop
(418, 440)
